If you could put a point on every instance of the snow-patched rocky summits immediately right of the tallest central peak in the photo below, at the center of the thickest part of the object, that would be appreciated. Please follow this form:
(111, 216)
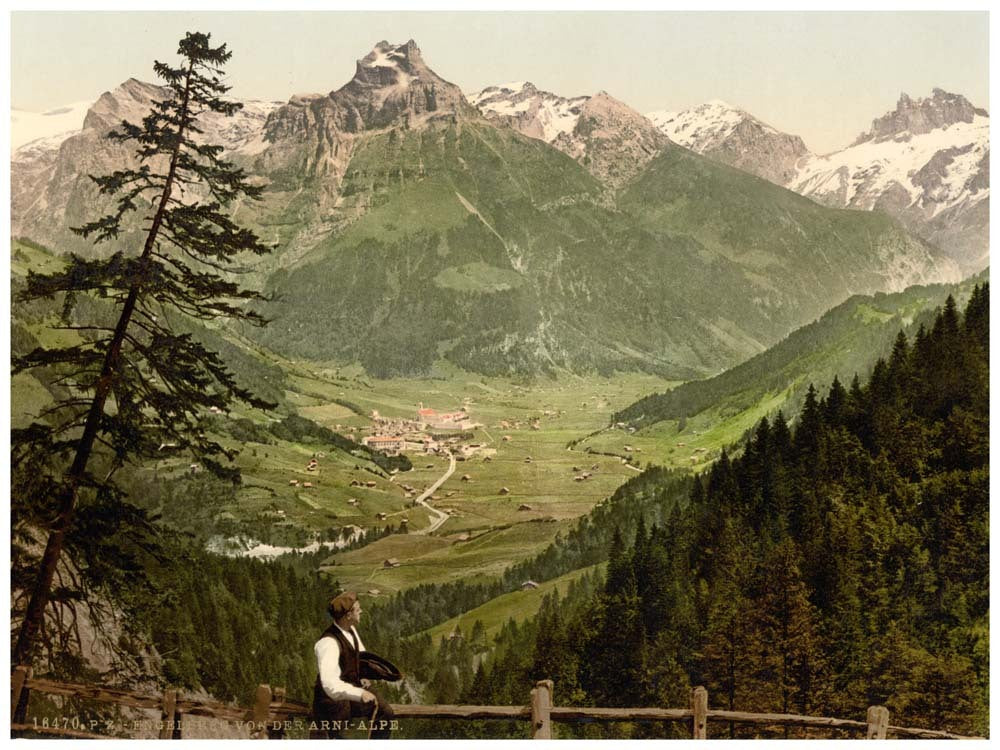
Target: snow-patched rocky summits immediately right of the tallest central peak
(608, 137)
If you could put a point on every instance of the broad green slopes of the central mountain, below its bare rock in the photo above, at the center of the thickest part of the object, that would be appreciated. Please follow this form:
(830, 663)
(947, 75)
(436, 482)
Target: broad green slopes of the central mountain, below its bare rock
(496, 253)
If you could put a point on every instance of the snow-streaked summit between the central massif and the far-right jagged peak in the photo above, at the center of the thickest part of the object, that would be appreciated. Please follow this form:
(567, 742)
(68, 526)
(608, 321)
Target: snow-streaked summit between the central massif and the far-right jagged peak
(734, 137)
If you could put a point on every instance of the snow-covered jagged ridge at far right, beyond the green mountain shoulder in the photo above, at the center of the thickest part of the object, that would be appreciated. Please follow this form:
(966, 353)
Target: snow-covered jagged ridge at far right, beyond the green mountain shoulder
(926, 163)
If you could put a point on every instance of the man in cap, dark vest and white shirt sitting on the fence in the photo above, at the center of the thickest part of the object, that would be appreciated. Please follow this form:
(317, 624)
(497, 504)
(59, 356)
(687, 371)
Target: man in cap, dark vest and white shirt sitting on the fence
(340, 694)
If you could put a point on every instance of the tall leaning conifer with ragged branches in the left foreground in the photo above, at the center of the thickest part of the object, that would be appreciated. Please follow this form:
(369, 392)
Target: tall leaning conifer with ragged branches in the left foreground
(136, 385)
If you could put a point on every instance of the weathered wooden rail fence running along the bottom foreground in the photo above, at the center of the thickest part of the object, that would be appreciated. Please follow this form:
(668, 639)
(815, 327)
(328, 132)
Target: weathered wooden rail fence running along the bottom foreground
(272, 715)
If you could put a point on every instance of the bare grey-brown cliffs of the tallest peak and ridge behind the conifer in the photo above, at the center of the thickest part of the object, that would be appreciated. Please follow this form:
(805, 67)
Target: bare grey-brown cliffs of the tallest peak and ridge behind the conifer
(309, 139)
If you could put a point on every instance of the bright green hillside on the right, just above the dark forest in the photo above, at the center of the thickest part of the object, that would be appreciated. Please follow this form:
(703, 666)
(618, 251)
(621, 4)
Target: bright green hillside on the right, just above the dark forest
(689, 425)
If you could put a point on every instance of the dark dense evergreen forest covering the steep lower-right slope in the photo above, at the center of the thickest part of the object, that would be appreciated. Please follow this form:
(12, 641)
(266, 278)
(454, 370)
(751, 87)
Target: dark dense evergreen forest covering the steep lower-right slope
(833, 566)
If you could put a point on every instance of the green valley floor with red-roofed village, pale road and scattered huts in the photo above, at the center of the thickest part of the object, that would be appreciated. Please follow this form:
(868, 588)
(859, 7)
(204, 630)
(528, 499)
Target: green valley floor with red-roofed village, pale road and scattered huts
(405, 480)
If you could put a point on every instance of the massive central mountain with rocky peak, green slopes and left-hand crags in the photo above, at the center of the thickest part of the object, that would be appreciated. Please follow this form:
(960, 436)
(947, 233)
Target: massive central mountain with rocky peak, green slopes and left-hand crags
(410, 227)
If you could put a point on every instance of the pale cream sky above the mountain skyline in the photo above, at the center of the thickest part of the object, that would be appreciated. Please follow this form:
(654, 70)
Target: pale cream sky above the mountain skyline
(823, 76)
